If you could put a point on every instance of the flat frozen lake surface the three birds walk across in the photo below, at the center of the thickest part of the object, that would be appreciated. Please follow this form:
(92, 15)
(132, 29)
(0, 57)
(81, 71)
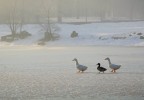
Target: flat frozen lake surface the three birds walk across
(48, 73)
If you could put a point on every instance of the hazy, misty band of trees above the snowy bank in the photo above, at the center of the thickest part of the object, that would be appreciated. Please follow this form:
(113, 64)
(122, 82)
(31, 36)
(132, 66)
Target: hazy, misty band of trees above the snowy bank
(33, 11)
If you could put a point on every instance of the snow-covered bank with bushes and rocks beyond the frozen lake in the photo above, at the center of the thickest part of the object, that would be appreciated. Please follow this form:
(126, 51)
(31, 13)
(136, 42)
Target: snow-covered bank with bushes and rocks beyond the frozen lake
(89, 34)
